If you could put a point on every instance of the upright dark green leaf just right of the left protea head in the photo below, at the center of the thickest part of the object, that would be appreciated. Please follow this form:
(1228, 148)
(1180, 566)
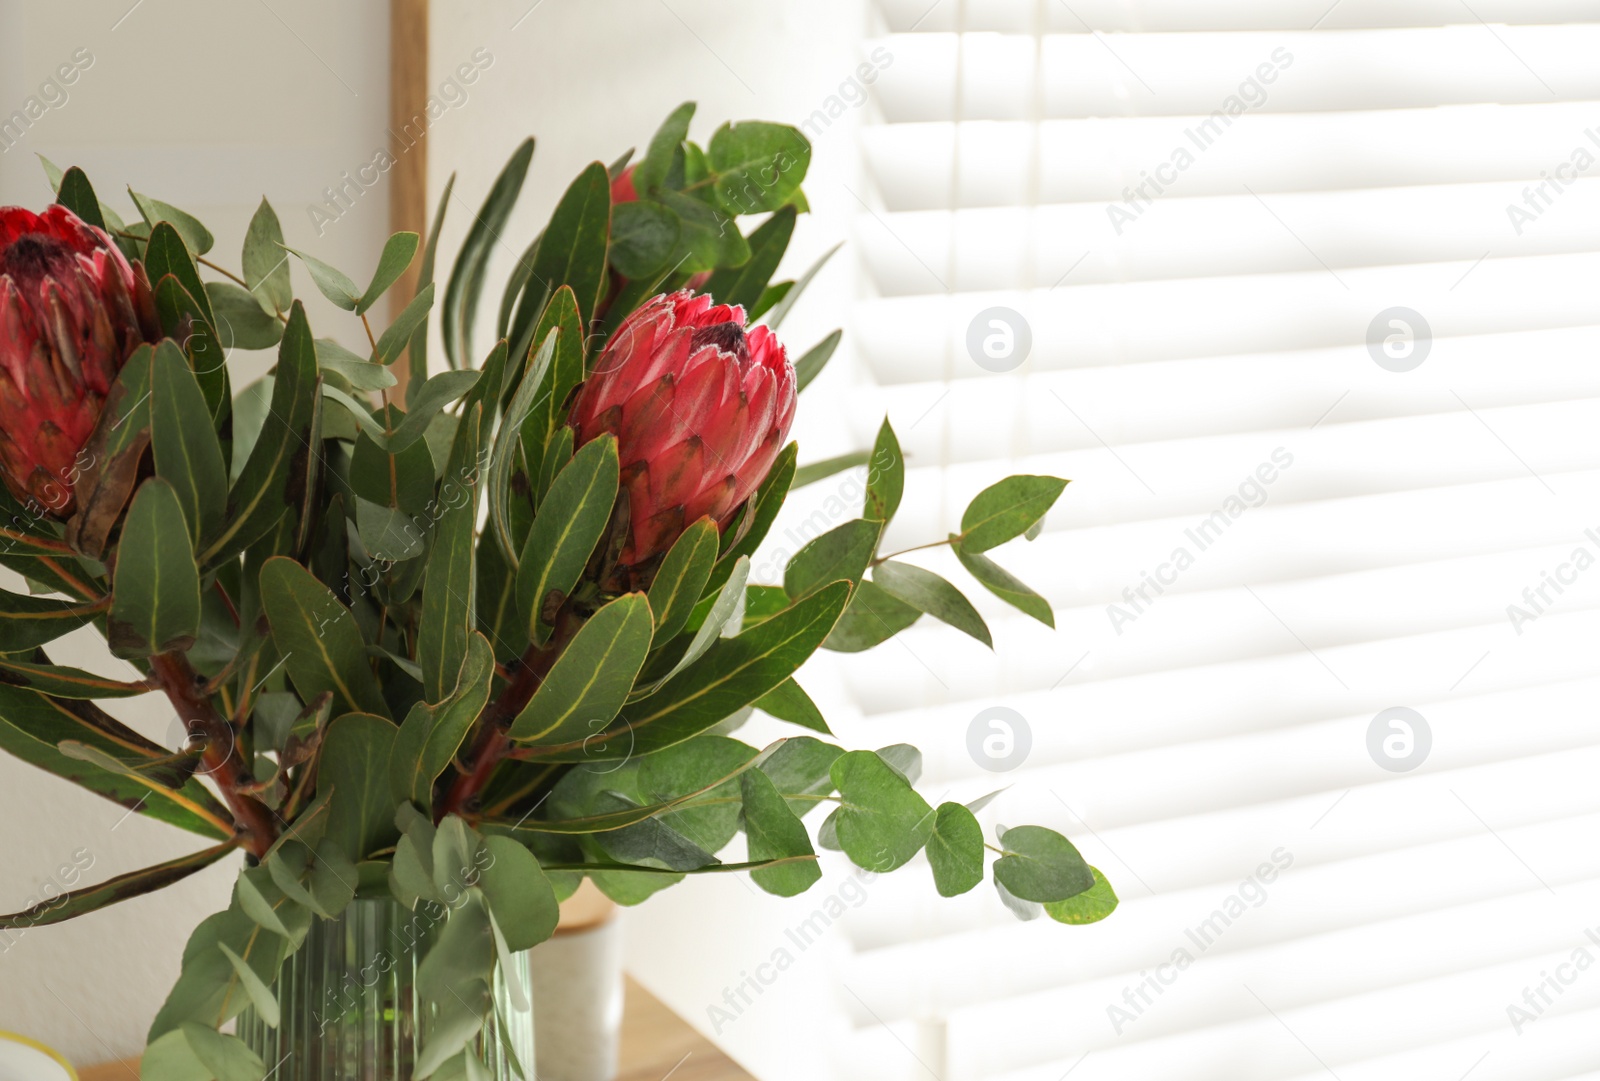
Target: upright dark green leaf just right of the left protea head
(188, 455)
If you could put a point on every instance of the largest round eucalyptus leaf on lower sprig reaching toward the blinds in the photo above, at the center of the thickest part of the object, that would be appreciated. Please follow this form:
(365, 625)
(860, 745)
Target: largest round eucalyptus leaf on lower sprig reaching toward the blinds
(882, 821)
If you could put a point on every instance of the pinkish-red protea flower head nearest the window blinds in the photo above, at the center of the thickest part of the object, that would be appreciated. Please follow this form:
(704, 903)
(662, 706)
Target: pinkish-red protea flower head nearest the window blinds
(700, 409)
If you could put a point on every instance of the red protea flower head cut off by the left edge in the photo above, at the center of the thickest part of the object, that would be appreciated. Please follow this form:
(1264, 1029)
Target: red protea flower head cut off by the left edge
(71, 313)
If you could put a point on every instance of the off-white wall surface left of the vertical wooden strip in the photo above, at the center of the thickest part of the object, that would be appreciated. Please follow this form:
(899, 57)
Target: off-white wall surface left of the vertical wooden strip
(209, 106)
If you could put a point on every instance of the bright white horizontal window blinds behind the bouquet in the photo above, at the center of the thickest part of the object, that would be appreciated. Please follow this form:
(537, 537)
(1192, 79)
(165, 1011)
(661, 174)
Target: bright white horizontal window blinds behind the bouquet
(1231, 226)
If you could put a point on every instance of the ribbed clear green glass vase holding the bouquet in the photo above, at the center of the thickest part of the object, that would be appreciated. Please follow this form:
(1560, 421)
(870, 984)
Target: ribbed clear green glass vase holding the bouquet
(350, 1008)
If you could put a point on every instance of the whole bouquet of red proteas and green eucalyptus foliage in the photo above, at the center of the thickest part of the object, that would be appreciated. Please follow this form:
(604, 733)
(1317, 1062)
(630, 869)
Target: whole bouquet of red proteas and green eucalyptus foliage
(466, 645)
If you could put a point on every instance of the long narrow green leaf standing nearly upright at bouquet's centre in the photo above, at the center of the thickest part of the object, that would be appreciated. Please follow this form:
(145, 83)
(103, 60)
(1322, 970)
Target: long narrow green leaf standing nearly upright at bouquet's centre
(447, 584)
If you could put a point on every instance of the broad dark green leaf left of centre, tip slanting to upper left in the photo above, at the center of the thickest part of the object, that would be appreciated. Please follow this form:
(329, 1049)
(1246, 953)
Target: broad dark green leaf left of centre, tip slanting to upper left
(318, 639)
